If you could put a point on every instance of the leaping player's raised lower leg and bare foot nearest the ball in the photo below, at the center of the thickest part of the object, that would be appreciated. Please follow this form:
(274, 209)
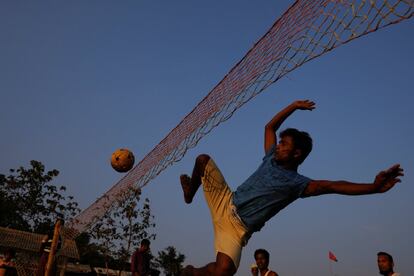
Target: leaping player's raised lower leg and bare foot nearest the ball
(191, 185)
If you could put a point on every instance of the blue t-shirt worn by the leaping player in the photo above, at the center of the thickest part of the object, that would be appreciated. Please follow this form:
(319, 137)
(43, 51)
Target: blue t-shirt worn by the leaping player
(267, 191)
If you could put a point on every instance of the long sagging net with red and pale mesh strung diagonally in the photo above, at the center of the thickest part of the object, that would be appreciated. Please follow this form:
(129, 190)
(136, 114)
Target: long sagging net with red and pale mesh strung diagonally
(305, 31)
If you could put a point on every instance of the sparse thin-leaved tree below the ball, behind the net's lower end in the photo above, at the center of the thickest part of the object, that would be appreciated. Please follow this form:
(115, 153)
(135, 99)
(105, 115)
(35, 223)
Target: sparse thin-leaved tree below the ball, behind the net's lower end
(121, 229)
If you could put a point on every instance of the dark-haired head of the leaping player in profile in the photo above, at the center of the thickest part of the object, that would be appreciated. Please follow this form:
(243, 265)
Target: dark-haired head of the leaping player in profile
(293, 147)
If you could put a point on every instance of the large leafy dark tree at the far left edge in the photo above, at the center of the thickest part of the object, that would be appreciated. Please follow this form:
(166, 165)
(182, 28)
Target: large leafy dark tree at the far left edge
(29, 202)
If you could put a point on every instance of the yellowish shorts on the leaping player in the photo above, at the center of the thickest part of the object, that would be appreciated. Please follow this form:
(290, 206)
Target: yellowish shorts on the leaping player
(230, 234)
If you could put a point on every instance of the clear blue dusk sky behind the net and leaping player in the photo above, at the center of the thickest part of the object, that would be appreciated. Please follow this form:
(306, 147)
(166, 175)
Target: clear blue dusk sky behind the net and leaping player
(80, 79)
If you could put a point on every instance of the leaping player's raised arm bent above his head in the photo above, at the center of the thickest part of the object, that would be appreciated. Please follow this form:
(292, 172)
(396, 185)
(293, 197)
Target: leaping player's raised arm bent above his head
(279, 118)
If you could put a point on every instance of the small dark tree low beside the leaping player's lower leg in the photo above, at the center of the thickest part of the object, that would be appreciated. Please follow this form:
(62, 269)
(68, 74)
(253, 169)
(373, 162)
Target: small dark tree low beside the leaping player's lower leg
(170, 261)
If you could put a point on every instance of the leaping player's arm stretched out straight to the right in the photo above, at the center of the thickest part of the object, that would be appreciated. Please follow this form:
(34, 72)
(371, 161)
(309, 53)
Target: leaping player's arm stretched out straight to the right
(383, 182)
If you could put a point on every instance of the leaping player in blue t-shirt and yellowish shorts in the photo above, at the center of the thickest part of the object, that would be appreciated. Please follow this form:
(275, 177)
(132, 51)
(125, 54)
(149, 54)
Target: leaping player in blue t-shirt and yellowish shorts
(274, 185)
